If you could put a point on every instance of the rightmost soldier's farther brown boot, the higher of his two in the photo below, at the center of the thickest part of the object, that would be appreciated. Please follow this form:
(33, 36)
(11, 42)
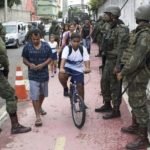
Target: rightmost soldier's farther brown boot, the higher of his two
(133, 128)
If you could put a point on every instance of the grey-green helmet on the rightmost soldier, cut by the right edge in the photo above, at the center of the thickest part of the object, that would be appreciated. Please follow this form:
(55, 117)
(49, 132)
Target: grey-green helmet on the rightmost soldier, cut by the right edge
(143, 13)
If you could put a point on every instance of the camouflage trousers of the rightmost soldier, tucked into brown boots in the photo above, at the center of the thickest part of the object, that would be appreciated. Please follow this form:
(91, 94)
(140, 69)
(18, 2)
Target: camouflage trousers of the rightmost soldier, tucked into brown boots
(138, 101)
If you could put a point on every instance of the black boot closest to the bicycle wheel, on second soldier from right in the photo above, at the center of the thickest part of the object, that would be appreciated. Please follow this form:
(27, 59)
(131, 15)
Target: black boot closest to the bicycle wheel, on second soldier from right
(105, 108)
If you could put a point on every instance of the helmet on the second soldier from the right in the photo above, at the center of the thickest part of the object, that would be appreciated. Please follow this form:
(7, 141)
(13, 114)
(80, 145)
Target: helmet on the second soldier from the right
(116, 11)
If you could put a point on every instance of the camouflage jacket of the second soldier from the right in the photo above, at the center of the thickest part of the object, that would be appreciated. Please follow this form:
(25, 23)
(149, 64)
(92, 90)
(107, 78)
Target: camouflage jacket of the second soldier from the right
(116, 42)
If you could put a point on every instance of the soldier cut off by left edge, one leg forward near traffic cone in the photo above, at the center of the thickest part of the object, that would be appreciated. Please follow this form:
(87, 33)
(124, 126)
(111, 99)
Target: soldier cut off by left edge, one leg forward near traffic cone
(8, 93)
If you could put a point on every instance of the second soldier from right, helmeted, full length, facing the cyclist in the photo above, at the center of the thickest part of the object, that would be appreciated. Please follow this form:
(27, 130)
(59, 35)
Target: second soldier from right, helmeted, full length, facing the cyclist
(115, 43)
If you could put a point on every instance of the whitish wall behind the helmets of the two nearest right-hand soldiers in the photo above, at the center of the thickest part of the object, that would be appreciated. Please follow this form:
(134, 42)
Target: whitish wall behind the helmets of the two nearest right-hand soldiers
(127, 13)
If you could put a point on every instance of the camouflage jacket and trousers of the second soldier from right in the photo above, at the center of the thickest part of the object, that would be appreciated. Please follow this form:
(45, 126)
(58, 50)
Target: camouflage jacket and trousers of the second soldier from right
(117, 39)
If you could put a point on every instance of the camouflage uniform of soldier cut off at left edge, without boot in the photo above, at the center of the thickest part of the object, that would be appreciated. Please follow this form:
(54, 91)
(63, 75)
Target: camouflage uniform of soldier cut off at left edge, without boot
(6, 91)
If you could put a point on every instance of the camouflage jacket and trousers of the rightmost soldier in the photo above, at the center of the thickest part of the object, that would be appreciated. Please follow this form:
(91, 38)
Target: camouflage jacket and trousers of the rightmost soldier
(137, 92)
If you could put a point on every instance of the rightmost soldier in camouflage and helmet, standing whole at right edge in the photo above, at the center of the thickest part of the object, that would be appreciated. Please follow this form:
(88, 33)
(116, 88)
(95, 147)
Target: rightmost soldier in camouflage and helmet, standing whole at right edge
(137, 71)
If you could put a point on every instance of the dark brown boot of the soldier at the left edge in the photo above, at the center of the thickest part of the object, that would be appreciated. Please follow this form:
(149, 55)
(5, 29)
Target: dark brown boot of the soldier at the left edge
(16, 127)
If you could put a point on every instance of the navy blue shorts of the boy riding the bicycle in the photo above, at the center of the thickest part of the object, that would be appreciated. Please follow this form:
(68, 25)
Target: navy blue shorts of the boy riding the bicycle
(75, 75)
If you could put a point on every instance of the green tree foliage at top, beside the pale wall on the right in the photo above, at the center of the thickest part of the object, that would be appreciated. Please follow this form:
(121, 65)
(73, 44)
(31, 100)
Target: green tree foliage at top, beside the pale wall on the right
(95, 4)
